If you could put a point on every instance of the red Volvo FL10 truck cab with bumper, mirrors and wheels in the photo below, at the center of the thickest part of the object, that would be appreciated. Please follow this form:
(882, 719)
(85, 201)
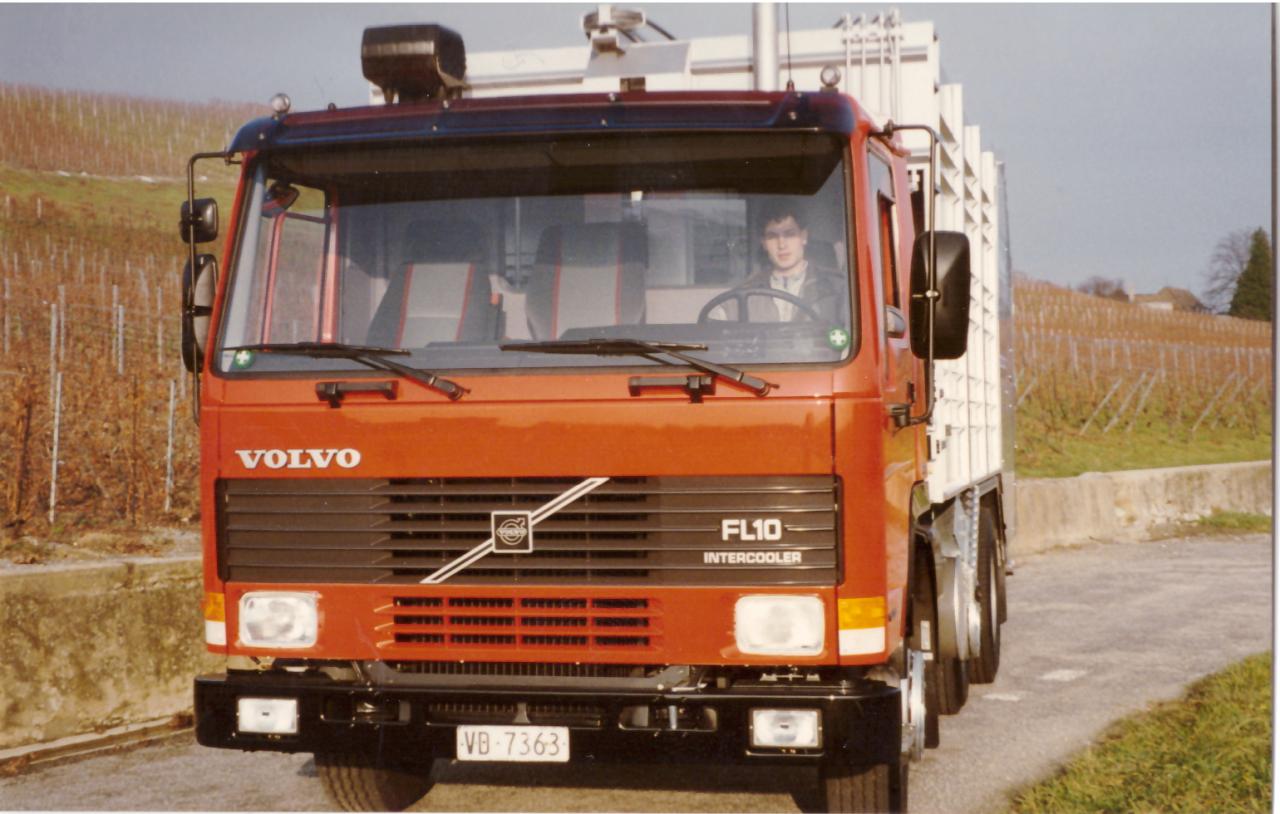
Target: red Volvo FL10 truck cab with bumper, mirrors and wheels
(514, 451)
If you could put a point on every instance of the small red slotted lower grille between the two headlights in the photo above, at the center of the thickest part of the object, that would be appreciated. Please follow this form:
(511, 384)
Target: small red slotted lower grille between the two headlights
(597, 625)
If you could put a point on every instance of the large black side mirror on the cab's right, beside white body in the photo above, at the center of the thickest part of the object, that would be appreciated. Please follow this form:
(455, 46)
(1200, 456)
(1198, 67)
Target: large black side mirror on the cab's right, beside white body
(952, 318)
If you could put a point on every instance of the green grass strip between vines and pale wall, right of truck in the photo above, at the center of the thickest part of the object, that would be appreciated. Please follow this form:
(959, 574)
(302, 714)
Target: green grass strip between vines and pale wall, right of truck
(1064, 454)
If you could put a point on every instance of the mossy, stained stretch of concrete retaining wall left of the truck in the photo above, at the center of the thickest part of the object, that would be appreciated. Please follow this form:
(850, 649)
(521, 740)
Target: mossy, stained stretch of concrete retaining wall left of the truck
(89, 647)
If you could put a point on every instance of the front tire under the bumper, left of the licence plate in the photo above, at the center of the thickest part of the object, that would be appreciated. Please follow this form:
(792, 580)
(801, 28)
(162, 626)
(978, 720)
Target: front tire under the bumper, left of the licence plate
(359, 783)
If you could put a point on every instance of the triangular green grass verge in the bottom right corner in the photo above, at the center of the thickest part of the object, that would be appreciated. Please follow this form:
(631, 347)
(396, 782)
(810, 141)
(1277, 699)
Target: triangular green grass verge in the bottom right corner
(1209, 752)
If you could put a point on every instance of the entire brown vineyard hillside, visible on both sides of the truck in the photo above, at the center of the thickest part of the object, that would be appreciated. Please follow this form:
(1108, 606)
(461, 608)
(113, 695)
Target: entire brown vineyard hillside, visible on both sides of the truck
(90, 263)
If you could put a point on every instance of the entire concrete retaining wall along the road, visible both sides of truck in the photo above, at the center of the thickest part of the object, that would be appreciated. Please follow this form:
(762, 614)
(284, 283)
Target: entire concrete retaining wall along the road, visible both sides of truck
(90, 647)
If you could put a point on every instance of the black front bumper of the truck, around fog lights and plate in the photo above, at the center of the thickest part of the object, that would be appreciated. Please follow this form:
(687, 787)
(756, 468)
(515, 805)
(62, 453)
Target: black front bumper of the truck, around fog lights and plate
(861, 721)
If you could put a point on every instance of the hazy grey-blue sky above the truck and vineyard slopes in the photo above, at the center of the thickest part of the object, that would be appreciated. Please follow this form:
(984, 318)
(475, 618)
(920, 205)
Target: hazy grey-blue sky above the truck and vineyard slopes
(1135, 138)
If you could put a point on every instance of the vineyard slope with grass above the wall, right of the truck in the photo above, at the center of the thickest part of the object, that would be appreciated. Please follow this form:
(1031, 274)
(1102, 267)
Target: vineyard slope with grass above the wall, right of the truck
(1107, 385)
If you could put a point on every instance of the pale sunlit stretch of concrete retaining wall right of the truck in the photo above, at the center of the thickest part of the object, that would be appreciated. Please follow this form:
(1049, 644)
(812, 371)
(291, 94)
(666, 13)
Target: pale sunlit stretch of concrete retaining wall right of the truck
(1131, 505)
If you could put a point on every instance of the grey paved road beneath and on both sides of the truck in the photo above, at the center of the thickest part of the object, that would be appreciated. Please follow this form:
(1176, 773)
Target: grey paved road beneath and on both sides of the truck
(1095, 634)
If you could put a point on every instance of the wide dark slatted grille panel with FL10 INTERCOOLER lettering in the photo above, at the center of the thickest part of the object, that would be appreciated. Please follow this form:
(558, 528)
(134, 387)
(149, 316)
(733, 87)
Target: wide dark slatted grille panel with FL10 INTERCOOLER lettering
(628, 532)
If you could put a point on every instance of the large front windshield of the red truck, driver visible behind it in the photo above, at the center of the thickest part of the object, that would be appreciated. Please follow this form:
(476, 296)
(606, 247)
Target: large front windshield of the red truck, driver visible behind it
(737, 241)
